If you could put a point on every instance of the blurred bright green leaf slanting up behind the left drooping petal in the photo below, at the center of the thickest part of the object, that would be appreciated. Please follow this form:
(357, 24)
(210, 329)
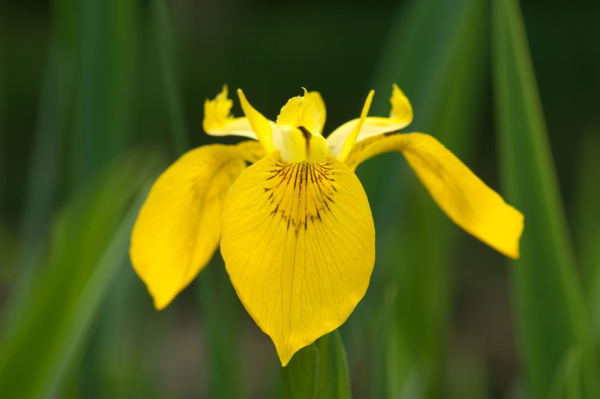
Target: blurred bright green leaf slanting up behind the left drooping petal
(89, 243)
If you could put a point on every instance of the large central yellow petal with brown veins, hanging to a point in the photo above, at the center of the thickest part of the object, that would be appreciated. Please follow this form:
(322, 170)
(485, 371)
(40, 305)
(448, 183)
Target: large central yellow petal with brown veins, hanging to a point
(299, 247)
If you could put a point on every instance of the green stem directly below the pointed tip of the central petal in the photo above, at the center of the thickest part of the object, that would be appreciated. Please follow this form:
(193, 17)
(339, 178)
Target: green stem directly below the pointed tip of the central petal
(318, 371)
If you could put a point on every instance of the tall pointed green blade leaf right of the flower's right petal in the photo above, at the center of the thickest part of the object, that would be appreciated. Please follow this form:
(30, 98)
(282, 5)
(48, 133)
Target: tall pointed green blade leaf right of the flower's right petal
(551, 313)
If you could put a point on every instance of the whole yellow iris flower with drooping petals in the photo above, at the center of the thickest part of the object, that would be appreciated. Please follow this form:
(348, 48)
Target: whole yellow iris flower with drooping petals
(295, 227)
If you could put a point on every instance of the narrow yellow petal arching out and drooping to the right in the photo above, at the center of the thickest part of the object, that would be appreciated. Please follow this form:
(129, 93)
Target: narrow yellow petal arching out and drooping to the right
(466, 200)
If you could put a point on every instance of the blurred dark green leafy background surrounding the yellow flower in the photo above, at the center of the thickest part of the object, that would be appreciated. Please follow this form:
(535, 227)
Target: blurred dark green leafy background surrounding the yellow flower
(97, 97)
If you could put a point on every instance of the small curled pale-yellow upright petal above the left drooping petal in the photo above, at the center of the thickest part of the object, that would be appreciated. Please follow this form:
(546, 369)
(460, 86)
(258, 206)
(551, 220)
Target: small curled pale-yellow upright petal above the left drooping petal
(219, 122)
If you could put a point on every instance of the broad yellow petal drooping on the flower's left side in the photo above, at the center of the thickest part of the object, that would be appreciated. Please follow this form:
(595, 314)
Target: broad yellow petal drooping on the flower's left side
(179, 225)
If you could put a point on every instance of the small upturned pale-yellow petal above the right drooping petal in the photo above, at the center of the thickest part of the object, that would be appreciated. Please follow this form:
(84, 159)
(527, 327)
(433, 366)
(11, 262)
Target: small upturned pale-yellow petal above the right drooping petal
(400, 117)
